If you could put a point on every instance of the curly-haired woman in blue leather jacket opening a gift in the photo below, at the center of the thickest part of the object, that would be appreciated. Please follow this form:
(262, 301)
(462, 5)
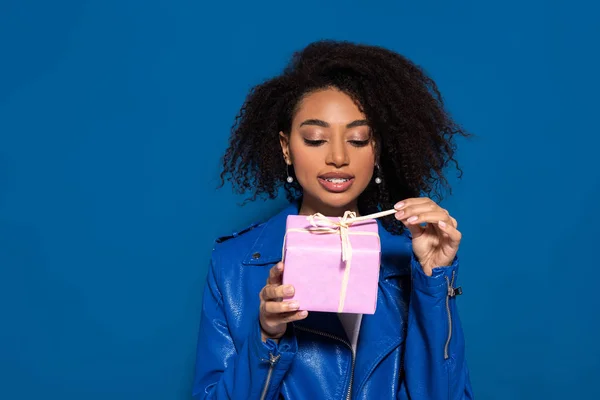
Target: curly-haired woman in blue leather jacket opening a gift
(345, 127)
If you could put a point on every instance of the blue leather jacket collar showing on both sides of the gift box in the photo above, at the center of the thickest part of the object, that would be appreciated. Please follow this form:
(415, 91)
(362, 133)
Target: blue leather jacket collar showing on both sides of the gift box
(267, 248)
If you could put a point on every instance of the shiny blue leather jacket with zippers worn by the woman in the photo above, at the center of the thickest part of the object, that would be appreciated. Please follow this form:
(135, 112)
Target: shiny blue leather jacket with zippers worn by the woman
(411, 348)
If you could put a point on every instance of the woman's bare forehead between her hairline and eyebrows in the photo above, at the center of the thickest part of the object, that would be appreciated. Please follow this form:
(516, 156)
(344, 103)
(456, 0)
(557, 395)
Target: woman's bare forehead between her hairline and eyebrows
(329, 105)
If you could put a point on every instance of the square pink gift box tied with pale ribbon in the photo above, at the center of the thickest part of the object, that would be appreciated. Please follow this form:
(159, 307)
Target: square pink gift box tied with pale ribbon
(322, 280)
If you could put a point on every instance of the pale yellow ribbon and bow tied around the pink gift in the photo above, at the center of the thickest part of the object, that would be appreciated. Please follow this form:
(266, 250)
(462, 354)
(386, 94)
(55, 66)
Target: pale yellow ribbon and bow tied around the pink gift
(320, 224)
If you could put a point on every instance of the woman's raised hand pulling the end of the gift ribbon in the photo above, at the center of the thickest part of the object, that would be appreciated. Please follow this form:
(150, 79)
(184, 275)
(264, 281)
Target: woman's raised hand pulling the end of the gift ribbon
(436, 243)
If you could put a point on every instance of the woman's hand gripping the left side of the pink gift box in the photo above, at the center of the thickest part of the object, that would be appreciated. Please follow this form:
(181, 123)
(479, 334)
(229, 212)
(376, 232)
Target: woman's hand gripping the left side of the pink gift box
(275, 313)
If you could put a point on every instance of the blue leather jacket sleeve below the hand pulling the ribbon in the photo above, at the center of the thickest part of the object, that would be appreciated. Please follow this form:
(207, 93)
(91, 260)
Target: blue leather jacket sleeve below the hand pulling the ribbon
(434, 359)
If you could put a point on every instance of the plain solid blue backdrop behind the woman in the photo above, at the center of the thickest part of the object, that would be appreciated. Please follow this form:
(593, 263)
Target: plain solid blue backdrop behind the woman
(113, 116)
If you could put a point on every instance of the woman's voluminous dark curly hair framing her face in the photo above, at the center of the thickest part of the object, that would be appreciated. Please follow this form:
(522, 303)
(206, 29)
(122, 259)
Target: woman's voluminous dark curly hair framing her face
(413, 133)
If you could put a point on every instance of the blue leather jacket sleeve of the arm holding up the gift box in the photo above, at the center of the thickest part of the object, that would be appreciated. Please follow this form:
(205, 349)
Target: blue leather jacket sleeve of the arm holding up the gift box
(229, 370)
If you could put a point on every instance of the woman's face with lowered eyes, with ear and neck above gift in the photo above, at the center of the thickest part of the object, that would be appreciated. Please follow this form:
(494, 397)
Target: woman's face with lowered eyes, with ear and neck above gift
(331, 149)
